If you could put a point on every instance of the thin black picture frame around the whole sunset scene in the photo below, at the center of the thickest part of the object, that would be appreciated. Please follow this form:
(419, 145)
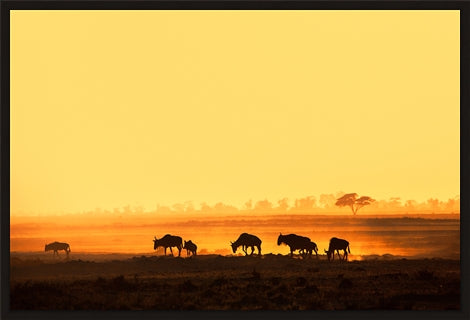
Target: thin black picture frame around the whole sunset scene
(6, 6)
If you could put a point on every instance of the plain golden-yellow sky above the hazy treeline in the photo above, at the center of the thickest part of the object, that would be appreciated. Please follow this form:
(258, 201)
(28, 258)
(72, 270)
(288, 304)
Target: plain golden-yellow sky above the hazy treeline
(110, 108)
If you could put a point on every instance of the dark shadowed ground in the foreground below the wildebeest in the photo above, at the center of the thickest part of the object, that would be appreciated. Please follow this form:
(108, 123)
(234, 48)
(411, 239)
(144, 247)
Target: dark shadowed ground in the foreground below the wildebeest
(272, 282)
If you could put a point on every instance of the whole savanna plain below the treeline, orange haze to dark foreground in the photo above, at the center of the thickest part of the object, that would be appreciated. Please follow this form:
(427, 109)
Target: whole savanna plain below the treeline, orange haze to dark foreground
(401, 262)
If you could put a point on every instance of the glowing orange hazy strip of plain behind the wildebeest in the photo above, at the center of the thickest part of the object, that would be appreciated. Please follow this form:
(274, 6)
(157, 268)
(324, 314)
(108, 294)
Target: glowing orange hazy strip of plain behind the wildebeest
(396, 235)
